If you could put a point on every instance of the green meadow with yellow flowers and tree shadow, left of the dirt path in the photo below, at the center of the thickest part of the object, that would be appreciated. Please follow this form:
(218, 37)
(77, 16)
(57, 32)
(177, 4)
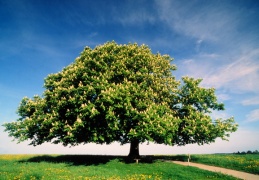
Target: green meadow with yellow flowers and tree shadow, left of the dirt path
(95, 167)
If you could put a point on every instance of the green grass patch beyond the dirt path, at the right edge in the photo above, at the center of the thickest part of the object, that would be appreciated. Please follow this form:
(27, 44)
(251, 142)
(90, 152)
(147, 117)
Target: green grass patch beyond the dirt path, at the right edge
(241, 162)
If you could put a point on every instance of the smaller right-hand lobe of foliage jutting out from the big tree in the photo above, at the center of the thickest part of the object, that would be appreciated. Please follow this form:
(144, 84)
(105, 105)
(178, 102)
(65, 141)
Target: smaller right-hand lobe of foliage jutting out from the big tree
(194, 105)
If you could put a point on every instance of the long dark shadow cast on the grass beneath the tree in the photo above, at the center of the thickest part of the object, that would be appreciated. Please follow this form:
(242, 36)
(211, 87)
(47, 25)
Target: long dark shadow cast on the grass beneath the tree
(88, 160)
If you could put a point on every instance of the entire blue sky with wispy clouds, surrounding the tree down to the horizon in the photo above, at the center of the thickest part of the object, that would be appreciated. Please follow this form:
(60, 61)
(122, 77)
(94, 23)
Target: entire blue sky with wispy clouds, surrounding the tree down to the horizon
(214, 40)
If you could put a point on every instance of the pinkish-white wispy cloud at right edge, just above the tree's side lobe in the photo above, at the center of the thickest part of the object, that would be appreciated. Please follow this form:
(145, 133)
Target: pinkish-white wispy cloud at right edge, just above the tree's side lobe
(238, 74)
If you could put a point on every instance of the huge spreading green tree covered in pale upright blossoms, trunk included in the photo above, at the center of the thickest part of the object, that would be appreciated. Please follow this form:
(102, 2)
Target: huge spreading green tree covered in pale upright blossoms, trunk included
(121, 93)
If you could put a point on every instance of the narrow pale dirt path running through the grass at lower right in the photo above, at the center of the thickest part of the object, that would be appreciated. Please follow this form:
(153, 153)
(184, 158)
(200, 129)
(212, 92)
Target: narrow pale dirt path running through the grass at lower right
(234, 173)
